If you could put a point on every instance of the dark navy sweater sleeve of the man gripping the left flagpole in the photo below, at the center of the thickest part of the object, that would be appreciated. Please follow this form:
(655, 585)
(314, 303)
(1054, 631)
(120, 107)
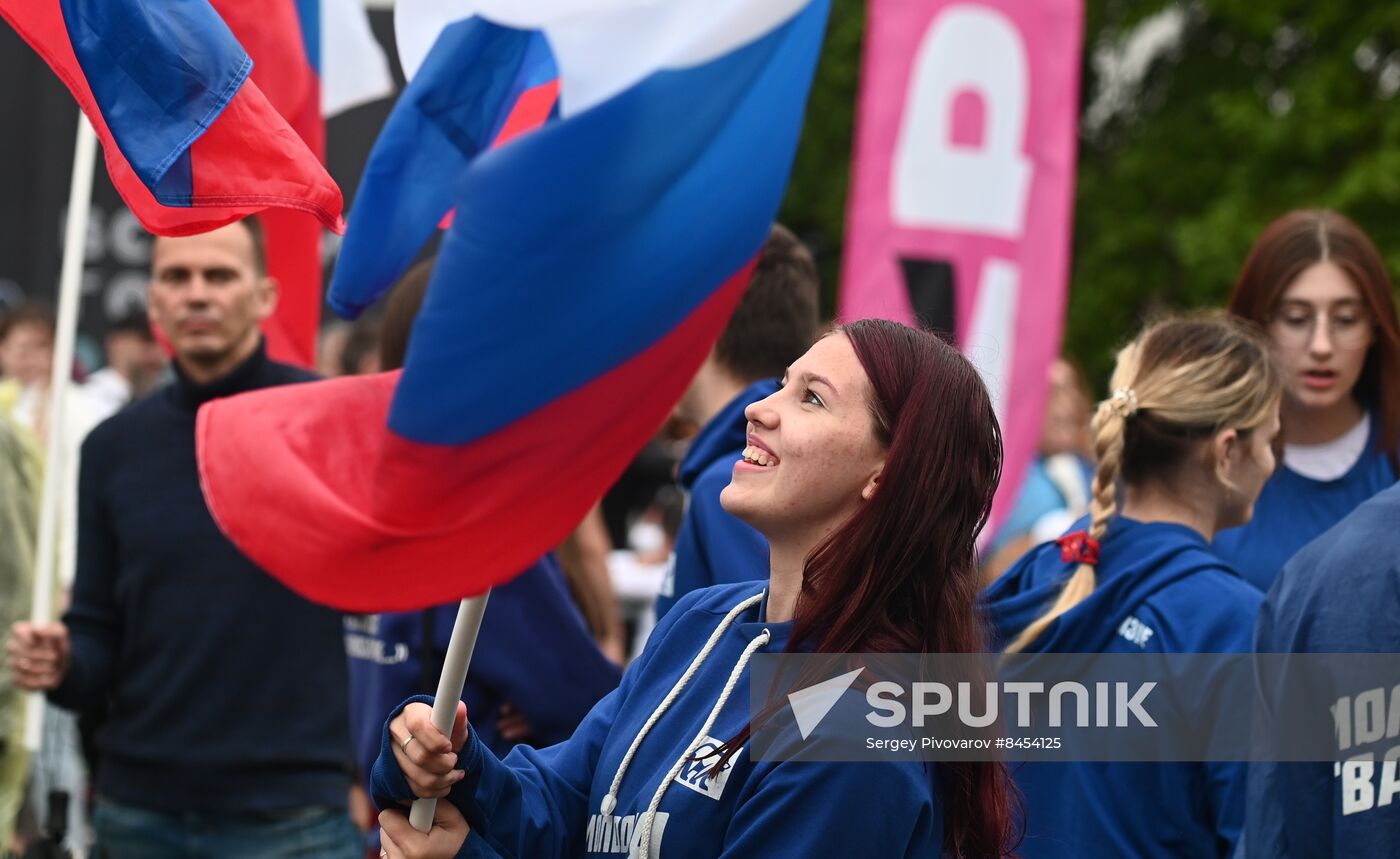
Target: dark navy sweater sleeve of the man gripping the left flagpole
(94, 619)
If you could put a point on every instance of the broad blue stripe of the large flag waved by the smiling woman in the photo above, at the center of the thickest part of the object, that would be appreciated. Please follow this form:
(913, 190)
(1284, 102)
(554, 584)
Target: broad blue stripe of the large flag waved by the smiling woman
(584, 243)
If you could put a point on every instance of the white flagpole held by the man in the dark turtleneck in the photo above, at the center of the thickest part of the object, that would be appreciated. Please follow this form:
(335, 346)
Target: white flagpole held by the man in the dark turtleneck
(71, 279)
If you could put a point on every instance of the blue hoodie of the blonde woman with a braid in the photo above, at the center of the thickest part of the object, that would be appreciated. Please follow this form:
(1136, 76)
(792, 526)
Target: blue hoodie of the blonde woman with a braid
(1158, 590)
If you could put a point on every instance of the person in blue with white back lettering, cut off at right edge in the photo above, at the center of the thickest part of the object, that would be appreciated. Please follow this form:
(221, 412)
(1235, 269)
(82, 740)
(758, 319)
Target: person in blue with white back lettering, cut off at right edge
(1339, 595)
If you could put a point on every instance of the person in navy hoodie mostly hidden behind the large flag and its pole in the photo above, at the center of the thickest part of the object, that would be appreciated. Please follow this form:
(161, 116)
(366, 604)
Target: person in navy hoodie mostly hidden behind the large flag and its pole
(537, 669)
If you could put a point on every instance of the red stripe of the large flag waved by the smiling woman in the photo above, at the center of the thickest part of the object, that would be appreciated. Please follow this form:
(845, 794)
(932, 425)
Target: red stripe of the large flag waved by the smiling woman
(355, 517)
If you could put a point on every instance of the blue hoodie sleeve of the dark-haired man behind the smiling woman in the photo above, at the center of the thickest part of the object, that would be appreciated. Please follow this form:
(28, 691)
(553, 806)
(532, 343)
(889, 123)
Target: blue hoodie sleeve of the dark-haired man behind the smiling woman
(713, 548)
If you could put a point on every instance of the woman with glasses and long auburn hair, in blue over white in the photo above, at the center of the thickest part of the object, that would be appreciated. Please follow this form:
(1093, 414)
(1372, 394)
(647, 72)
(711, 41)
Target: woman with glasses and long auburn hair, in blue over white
(1317, 283)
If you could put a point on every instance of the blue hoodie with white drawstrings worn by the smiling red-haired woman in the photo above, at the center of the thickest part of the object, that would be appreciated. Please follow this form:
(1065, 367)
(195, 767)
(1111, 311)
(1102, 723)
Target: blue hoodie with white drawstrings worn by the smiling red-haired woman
(583, 797)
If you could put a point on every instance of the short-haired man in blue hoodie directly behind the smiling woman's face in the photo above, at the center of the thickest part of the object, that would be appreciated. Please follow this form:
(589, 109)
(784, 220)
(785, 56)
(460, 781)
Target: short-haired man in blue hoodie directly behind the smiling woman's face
(773, 325)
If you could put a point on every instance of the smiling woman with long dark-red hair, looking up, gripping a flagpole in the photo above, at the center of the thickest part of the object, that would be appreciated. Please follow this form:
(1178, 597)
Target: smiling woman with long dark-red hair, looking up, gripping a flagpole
(870, 472)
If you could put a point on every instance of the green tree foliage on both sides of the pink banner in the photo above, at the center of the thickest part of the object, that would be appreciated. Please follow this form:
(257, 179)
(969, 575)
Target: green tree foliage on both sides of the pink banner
(1255, 108)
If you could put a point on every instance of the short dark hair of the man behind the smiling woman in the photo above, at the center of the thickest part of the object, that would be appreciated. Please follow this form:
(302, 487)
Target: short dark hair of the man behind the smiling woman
(778, 318)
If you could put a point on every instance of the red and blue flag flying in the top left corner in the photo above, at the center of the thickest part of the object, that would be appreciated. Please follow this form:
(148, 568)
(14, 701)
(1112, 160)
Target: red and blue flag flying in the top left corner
(191, 143)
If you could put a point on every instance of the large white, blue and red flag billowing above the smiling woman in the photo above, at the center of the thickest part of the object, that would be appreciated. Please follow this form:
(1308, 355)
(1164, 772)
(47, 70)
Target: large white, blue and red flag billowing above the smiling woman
(589, 269)
